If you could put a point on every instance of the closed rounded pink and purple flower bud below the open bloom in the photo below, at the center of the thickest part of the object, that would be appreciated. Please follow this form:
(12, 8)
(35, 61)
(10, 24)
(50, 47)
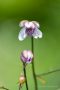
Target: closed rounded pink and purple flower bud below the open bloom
(26, 56)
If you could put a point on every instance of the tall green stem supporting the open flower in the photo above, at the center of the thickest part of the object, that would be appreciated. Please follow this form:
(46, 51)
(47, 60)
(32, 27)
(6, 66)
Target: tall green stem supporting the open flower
(33, 69)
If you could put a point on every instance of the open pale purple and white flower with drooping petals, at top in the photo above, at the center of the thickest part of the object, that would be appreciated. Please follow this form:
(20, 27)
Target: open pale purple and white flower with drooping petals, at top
(29, 28)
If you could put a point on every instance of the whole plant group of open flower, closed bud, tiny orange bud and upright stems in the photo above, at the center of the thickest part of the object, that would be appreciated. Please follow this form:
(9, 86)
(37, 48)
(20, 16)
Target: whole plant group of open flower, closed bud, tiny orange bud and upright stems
(28, 28)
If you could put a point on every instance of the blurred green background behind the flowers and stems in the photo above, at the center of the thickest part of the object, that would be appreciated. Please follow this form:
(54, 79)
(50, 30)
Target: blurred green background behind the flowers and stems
(47, 49)
